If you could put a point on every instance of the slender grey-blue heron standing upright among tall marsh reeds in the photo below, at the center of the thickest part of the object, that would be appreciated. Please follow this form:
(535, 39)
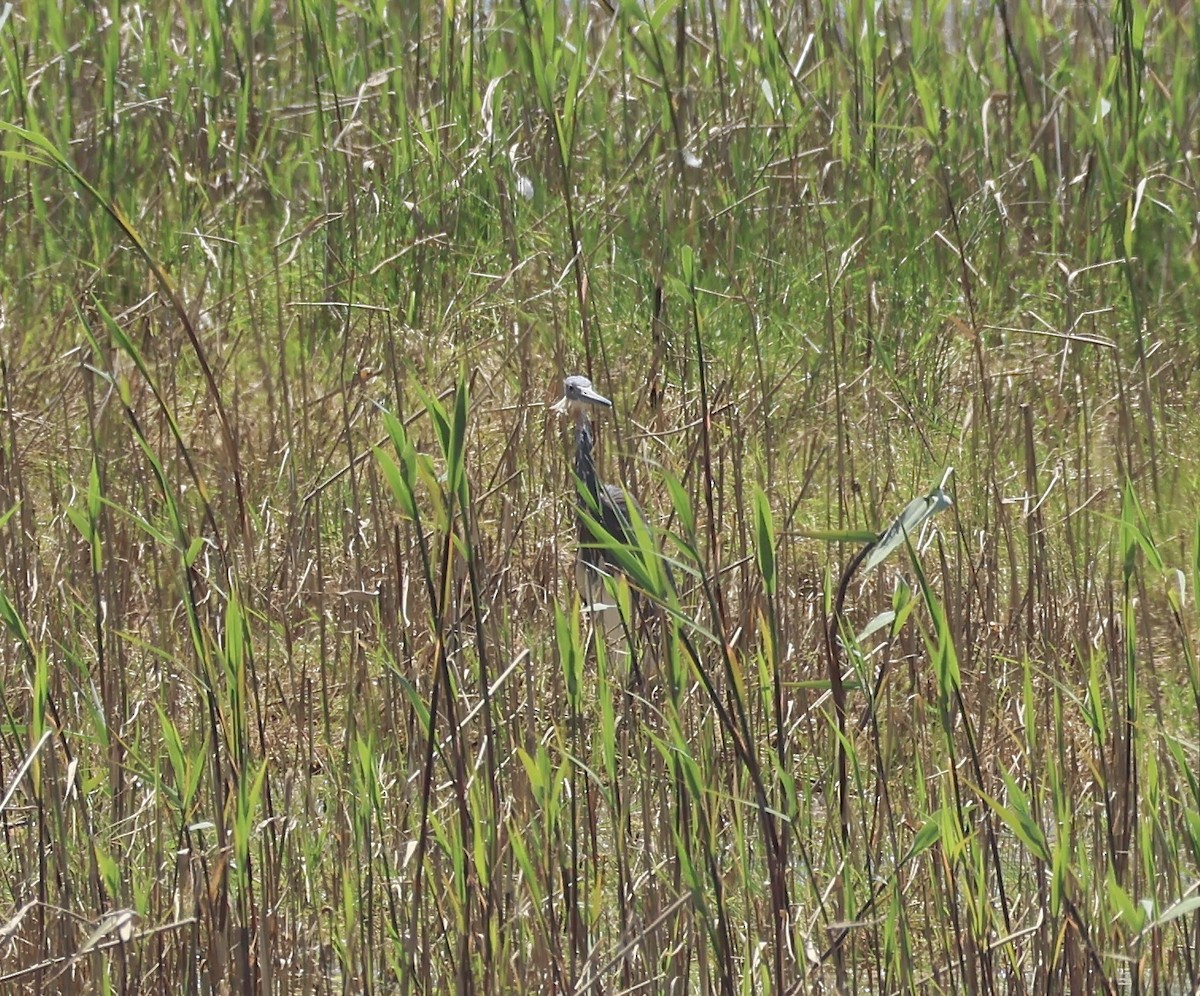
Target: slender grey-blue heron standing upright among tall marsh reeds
(596, 501)
